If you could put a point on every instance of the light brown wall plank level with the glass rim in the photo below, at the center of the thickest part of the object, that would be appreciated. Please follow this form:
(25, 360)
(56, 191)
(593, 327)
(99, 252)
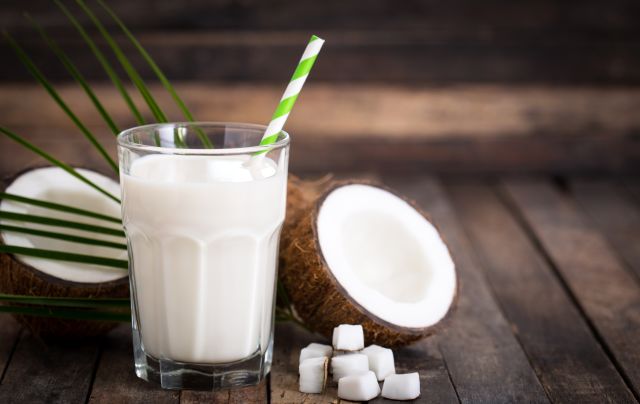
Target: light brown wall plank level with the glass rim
(374, 111)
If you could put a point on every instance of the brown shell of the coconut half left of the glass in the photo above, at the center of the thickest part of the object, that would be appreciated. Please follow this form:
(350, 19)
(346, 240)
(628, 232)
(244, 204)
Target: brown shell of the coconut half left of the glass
(21, 279)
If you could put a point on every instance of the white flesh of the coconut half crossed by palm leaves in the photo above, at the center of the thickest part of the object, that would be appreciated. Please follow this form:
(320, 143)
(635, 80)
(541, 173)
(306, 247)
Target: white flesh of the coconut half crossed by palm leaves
(55, 185)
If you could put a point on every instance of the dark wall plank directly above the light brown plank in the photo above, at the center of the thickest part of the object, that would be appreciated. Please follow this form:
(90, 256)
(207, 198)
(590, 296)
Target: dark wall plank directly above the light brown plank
(391, 56)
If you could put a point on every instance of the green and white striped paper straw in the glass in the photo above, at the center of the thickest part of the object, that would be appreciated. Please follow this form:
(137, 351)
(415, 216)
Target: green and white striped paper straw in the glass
(293, 89)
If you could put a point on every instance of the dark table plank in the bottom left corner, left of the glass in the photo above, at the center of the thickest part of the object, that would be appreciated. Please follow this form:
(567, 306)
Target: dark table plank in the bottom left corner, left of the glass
(49, 371)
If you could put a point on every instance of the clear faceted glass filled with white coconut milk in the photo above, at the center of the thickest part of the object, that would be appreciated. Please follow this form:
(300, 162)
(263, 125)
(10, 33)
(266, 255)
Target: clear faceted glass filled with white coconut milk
(202, 225)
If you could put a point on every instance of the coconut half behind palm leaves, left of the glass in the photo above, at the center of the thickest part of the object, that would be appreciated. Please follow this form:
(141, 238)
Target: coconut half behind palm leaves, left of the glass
(41, 277)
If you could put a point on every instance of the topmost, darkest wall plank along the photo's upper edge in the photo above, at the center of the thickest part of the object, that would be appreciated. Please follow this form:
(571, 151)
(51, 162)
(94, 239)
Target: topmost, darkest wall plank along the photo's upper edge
(544, 17)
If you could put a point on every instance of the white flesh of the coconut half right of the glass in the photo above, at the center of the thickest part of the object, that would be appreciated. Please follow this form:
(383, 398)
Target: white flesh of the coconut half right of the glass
(387, 256)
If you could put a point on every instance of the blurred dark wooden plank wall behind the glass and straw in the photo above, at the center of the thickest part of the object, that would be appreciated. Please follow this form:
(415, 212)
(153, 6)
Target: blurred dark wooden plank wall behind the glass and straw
(456, 86)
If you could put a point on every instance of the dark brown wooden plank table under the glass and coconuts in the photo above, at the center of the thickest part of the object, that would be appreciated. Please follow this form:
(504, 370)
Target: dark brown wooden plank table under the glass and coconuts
(549, 309)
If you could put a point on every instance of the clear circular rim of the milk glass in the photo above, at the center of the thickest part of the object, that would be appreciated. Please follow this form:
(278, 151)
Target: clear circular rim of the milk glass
(123, 141)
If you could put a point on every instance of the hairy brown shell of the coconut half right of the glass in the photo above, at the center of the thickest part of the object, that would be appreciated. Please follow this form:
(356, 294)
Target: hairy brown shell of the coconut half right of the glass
(319, 300)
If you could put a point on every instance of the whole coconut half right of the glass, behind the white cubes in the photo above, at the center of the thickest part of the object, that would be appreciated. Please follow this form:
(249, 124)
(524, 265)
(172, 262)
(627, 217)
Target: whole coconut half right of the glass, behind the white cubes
(364, 255)
